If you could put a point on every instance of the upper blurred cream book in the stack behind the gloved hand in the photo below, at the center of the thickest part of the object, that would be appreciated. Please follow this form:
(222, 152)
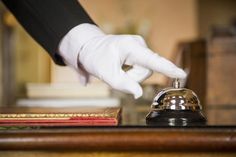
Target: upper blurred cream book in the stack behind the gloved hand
(67, 90)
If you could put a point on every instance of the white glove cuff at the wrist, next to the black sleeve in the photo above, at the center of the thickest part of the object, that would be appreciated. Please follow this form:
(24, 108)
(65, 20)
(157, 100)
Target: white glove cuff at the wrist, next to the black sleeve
(72, 43)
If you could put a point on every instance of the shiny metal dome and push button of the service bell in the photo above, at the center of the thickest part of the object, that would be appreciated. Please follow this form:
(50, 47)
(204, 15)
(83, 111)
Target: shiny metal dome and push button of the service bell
(176, 98)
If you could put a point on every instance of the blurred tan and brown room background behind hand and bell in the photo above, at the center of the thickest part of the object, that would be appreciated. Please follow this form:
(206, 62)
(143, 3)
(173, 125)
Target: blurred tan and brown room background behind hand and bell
(197, 35)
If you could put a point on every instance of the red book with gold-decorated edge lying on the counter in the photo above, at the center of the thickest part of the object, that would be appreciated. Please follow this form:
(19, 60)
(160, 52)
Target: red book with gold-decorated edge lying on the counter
(85, 117)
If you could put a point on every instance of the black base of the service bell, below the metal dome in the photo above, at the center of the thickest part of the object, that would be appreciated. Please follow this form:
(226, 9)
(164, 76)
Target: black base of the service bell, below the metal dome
(175, 118)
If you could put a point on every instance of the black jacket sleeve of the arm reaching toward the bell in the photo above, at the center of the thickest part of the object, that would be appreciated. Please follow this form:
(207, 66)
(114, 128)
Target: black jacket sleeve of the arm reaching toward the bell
(48, 21)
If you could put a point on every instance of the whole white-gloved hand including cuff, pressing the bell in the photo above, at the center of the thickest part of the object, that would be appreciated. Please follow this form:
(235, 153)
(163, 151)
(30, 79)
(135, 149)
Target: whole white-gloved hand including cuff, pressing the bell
(91, 52)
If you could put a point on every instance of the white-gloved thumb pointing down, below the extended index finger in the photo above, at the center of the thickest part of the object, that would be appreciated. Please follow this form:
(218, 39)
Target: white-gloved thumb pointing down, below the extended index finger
(124, 83)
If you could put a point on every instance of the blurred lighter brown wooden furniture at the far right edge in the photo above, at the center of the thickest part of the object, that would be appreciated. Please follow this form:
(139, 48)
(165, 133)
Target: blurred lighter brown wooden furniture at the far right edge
(221, 71)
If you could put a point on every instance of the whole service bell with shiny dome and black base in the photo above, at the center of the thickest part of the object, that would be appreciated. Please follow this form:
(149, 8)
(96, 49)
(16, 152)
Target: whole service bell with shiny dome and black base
(176, 106)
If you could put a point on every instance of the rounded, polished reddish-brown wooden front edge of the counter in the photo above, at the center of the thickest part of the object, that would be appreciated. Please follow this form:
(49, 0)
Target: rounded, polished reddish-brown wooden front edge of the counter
(121, 139)
